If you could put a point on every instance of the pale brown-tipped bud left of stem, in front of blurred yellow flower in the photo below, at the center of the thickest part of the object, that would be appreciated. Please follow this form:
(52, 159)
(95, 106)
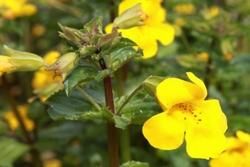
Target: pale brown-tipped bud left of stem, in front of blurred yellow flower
(64, 65)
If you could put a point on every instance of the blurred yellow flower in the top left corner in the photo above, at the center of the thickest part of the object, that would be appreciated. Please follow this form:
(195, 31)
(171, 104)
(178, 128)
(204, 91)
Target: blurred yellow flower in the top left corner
(11, 9)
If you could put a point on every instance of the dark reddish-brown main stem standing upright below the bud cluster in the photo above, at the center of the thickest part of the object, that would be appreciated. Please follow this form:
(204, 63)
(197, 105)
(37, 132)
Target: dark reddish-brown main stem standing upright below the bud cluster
(113, 148)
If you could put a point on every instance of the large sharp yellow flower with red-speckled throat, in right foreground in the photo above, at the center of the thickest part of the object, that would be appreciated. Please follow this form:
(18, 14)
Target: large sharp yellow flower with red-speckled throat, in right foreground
(187, 115)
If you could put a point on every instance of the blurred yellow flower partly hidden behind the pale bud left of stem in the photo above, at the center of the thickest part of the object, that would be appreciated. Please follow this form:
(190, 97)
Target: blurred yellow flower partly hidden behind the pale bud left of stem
(45, 82)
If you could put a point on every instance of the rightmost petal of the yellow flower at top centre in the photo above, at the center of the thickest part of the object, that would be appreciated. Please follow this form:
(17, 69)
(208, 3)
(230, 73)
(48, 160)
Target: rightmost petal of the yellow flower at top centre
(163, 32)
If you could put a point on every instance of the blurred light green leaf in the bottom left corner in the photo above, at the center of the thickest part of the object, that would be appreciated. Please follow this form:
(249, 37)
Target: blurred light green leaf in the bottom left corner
(10, 151)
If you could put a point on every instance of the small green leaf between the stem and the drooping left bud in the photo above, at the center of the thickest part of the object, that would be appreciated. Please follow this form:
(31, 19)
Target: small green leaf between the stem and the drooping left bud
(77, 76)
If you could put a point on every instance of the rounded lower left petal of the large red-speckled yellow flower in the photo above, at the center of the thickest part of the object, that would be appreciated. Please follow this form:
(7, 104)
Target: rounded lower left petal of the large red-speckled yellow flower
(164, 131)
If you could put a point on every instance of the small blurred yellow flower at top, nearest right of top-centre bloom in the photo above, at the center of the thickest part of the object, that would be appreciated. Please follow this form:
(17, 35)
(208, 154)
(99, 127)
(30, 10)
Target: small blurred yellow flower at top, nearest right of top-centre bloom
(185, 9)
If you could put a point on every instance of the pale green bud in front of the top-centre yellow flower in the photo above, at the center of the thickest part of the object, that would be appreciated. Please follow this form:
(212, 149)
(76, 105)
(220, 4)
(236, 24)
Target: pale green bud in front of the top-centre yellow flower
(131, 17)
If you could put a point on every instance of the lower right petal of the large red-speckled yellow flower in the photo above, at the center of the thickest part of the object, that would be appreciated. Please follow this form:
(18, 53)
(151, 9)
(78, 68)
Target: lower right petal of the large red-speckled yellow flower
(205, 134)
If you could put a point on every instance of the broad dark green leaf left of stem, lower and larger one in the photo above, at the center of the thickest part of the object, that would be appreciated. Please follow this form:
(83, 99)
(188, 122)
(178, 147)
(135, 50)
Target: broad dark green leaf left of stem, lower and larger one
(73, 107)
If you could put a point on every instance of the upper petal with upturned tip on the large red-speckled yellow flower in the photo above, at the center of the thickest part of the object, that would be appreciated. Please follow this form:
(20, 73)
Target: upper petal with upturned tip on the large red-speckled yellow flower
(172, 91)
